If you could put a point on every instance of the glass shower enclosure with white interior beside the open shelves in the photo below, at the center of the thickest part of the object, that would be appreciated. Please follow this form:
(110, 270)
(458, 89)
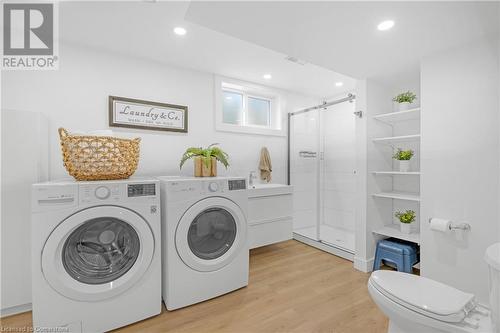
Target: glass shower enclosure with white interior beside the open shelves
(322, 169)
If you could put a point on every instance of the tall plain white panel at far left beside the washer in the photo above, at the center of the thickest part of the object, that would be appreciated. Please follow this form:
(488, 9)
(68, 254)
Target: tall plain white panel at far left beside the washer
(21, 143)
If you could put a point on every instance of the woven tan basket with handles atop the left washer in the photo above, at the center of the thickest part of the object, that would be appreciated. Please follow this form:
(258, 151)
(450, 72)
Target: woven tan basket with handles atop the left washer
(99, 157)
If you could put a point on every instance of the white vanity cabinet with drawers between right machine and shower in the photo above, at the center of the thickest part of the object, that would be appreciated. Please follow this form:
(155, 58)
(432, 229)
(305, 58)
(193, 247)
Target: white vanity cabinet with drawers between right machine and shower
(270, 214)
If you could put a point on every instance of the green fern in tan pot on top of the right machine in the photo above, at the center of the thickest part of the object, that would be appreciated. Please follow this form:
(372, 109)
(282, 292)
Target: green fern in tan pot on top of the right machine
(205, 160)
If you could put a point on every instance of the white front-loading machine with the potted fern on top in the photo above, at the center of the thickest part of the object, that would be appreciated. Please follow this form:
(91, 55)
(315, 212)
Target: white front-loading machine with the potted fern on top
(204, 237)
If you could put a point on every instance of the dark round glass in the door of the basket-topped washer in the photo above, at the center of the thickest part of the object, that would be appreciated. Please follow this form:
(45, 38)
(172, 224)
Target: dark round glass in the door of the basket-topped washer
(100, 250)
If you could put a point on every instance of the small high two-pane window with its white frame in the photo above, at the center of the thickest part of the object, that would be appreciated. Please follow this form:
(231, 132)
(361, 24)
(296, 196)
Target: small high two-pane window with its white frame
(248, 108)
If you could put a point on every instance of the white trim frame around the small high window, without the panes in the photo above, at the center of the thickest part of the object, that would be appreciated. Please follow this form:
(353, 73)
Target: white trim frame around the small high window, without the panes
(249, 89)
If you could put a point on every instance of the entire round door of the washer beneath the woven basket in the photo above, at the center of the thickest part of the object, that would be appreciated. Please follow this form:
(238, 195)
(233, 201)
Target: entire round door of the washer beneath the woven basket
(98, 253)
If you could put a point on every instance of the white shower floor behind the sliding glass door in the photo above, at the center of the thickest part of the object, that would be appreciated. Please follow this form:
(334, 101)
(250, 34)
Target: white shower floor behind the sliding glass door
(336, 236)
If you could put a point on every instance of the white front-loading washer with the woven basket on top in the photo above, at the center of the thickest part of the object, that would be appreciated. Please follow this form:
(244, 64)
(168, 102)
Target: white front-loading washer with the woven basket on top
(96, 254)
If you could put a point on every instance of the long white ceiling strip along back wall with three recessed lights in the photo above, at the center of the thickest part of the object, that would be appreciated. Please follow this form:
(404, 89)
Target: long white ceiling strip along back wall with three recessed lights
(144, 29)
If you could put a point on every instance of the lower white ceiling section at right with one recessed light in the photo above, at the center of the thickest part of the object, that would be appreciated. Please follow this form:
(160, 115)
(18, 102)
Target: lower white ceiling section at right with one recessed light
(342, 36)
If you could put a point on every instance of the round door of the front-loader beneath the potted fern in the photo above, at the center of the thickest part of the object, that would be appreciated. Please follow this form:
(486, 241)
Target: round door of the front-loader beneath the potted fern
(211, 233)
